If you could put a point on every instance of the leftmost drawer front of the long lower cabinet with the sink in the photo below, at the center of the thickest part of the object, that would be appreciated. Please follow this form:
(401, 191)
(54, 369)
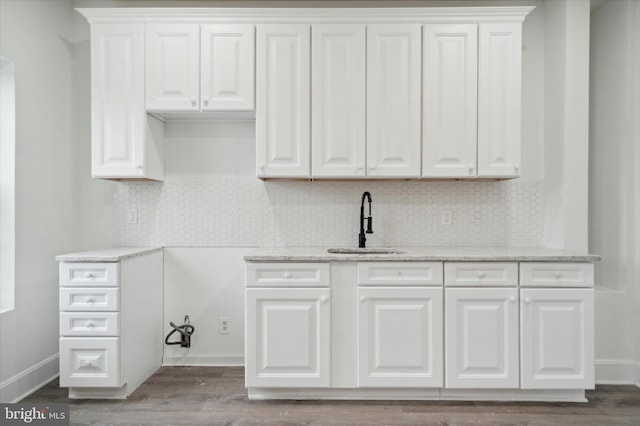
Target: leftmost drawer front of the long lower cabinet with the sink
(288, 274)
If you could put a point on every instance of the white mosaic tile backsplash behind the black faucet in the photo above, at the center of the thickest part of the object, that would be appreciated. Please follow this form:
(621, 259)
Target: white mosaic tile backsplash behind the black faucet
(242, 211)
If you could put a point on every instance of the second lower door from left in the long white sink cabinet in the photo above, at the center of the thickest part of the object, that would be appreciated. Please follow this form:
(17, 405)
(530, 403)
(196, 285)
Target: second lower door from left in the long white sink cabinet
(400, 337)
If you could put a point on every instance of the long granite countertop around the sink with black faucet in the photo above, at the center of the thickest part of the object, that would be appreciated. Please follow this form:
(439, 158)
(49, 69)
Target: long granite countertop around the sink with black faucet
(455, 254)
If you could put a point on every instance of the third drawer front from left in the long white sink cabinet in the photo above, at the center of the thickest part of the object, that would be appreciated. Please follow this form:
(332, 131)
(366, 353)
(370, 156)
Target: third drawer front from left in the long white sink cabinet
(481, 274)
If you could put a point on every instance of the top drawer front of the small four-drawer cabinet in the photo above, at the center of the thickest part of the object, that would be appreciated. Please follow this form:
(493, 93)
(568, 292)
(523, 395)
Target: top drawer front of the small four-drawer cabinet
(88, 274)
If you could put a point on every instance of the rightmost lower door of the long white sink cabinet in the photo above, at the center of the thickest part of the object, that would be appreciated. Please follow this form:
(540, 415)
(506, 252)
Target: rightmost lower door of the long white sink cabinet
(557, 338)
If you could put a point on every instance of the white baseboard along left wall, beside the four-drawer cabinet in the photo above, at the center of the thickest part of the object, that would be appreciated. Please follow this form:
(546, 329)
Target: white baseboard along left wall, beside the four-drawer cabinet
(28, 381)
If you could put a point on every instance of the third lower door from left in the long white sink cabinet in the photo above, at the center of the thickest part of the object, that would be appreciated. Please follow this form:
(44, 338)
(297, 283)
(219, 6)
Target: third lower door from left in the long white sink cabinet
(481, 349)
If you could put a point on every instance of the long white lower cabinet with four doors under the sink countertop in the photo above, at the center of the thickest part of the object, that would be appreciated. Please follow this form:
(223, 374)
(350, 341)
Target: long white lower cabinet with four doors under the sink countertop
(418, 329)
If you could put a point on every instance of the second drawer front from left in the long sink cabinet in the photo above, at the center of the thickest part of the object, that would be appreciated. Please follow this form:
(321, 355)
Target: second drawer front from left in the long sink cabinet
(401, 273)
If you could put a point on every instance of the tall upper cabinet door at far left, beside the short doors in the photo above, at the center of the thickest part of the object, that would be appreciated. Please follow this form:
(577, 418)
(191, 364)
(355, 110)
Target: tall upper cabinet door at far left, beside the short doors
(117, 100)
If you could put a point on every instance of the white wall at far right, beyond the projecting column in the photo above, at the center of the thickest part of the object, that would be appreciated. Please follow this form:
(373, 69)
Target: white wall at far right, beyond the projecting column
(614, 206)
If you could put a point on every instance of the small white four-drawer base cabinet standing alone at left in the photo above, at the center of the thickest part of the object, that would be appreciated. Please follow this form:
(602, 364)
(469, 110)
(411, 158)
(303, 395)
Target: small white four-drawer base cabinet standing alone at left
(110, 325)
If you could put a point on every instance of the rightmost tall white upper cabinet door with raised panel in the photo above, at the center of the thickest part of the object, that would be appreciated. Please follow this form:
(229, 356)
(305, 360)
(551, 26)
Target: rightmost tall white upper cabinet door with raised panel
(499, 93)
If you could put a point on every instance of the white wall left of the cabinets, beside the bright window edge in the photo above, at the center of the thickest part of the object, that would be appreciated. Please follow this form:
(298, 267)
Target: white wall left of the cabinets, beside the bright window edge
(52, 186)
